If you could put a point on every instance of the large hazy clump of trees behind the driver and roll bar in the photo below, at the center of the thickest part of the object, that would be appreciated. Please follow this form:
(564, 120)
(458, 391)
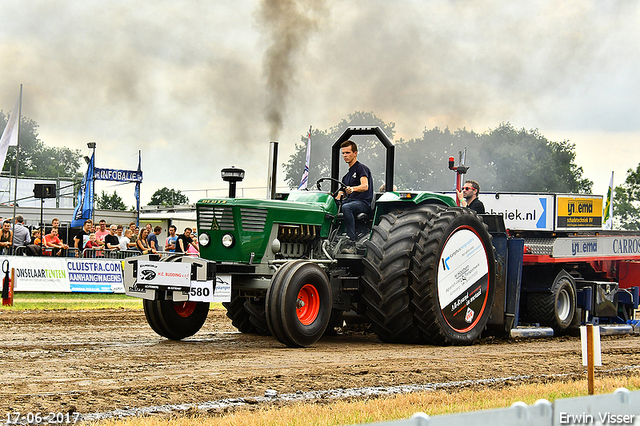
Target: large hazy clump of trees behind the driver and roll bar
(501, 159)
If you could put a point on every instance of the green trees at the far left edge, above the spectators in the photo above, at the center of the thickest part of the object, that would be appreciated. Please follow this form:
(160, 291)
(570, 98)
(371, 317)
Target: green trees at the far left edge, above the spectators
(37, 159)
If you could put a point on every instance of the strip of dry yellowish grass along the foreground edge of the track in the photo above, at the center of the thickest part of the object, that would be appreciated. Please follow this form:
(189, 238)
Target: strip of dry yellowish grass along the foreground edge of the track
(433, 403)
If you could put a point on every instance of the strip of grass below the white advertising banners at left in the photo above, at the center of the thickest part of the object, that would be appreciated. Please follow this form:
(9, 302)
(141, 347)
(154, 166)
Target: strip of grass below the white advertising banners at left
(75, 301)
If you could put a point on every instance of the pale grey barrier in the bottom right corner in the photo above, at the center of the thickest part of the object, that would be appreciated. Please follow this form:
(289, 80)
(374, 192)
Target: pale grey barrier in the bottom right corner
(621, 407)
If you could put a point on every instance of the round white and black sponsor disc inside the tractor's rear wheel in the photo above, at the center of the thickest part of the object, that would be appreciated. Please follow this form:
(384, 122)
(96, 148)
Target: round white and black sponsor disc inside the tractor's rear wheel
(463, 279)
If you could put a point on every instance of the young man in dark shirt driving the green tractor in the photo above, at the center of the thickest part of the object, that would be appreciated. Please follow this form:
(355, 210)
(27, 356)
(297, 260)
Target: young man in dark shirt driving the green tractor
(359, 192)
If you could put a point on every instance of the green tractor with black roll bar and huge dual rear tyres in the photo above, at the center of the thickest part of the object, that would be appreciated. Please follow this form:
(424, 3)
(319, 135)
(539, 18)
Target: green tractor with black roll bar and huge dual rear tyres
(425, 271)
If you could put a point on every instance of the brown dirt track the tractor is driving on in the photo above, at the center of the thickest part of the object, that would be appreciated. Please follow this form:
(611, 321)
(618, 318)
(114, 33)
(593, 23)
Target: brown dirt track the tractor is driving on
(97, 361)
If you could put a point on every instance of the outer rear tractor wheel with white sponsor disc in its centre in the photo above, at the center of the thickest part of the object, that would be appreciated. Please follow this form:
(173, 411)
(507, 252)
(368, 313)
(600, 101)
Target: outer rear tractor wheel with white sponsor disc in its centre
(453, 277)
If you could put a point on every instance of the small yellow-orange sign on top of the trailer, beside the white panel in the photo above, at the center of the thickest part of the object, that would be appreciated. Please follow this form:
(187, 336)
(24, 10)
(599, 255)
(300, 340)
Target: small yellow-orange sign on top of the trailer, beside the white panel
(578, 212)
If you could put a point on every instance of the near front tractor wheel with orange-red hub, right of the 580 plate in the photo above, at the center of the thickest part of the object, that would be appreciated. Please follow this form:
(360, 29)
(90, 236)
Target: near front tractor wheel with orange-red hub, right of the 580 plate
(298, 303)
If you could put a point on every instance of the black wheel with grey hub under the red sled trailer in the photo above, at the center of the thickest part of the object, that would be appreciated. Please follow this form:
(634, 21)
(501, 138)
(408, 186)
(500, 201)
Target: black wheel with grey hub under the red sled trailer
(556, 308)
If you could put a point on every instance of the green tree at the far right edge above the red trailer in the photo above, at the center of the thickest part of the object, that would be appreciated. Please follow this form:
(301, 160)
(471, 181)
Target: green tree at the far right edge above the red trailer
(626, 202)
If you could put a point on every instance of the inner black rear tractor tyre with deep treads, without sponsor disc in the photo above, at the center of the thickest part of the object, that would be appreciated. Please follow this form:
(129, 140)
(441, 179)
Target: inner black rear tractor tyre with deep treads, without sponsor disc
(387, 280)
